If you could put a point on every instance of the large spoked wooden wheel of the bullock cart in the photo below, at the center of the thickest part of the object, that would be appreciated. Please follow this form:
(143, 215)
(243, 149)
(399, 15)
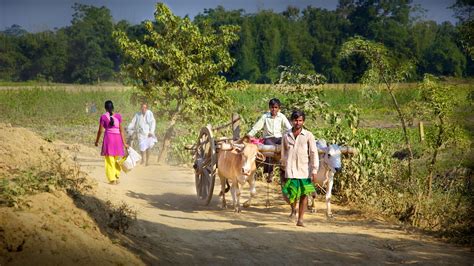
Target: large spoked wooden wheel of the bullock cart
(205, 165)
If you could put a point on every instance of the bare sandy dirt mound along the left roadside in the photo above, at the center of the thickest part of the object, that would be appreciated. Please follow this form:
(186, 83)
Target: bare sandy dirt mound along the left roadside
(52, 228)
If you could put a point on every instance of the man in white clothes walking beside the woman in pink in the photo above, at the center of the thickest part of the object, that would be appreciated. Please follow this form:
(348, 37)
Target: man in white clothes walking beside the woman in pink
(143, 123)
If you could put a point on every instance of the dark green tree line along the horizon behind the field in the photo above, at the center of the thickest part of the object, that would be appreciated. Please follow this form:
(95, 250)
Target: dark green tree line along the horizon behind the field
(85, 51)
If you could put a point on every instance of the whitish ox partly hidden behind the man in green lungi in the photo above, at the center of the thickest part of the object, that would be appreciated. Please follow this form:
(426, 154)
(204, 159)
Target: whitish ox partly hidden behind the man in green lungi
(329, 164)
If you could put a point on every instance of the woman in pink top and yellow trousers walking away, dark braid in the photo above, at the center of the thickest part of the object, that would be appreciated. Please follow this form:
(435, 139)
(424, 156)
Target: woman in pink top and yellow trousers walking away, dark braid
(113, 143)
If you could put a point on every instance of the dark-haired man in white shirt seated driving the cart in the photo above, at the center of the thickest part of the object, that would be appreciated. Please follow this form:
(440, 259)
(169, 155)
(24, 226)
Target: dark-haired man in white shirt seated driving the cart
(274, 124)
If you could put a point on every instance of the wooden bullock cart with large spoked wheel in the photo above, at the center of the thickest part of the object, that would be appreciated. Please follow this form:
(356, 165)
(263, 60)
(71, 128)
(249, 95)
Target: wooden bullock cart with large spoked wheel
(205, 152)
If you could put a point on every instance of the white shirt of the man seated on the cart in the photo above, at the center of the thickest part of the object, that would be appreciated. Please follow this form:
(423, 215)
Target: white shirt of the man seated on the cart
(272, 126)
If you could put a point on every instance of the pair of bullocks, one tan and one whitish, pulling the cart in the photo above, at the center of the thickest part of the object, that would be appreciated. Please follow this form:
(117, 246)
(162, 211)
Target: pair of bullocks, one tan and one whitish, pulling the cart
(237, 166)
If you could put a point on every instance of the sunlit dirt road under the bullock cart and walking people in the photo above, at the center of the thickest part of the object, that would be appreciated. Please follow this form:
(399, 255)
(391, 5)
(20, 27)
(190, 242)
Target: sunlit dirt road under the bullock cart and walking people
(173, 228)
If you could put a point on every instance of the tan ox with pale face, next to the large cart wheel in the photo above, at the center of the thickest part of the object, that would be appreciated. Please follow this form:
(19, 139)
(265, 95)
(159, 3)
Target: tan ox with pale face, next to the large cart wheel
(237, 166)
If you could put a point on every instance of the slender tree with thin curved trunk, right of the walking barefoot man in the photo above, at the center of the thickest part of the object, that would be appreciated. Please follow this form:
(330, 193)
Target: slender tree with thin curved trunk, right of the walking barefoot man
(384, 69)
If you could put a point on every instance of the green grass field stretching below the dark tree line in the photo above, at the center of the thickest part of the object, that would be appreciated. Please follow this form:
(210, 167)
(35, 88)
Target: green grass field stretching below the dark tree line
(53, 110)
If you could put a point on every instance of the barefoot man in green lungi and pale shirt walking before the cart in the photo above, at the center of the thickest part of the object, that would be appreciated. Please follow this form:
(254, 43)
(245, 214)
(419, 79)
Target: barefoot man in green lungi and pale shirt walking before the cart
(299, 158)
